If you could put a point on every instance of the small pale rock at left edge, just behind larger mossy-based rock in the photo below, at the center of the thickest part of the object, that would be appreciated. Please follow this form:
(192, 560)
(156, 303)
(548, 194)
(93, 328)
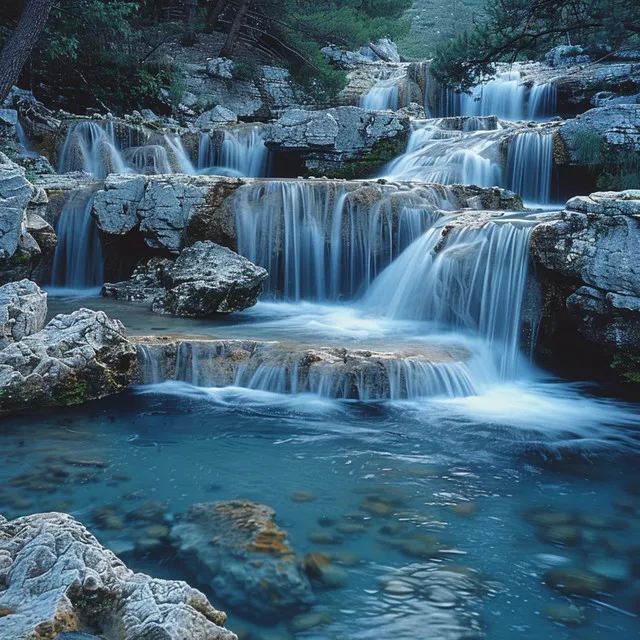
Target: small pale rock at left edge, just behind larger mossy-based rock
(23, 310)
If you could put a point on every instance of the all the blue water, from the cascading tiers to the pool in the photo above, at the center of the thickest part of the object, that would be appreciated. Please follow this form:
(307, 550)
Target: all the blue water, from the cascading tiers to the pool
(457, 491)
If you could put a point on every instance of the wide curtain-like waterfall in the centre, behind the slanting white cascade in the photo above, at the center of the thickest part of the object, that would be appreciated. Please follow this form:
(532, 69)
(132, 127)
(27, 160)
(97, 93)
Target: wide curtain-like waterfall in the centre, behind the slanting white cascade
(325, 241)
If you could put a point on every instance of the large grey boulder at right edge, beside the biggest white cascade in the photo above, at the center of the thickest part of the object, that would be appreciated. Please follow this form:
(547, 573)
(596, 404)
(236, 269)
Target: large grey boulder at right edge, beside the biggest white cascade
(594, 248)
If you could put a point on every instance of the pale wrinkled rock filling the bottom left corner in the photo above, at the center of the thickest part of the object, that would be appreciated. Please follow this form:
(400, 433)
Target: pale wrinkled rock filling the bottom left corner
(57, 578)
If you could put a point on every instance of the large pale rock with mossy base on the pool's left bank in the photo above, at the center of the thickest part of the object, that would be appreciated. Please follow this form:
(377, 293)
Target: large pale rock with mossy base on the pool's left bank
(75, 358)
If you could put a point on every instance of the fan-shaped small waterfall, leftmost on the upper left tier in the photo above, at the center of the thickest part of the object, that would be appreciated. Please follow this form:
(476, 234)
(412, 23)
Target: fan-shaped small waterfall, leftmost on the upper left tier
(92, 148)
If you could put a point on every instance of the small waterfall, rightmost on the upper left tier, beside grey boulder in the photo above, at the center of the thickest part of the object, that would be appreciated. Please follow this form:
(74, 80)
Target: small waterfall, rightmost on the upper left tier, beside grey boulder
(242, 153)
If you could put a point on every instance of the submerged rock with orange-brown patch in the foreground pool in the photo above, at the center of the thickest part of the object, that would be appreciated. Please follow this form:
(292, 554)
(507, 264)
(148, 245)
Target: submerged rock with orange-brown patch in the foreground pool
(236, 548)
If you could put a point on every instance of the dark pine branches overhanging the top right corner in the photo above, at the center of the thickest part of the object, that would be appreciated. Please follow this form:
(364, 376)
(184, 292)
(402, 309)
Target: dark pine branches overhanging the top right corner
(525, 29)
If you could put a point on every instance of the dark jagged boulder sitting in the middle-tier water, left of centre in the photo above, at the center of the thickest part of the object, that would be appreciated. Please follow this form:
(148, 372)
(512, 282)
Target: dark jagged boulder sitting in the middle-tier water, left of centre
(205, 279)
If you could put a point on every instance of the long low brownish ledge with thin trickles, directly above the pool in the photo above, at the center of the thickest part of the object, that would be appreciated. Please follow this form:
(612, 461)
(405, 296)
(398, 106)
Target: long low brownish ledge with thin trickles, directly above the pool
(334, 372)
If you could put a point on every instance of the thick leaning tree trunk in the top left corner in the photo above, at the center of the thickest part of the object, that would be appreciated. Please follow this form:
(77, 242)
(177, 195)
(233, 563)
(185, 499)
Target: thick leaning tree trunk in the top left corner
(18, 48)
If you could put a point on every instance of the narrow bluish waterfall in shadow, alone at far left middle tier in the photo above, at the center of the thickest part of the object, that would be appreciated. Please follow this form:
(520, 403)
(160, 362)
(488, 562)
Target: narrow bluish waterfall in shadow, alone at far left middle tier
(77, 262)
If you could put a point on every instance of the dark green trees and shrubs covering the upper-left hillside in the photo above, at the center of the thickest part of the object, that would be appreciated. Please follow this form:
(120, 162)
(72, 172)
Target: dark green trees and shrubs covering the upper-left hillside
(109, 53)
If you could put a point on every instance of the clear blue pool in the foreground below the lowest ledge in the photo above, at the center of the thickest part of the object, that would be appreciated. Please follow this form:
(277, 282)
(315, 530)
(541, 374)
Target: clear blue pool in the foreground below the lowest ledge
(489, 502)
